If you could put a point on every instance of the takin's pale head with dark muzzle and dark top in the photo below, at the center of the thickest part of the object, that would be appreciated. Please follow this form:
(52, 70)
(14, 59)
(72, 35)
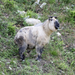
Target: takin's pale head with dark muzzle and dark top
(53, 23)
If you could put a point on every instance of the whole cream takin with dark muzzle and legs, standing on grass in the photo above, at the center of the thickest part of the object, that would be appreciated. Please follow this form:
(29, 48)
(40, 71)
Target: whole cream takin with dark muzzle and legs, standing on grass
(36, 36)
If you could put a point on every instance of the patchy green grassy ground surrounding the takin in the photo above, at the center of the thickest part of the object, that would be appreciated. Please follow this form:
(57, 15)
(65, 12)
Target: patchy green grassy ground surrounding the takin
(58, 57)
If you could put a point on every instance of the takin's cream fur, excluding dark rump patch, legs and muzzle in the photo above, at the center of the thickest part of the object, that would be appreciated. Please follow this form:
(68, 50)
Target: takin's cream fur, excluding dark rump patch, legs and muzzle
(41, 32)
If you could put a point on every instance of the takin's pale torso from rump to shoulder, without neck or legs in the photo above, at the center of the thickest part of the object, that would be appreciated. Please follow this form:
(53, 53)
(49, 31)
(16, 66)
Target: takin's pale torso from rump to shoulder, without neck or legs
(32, 35)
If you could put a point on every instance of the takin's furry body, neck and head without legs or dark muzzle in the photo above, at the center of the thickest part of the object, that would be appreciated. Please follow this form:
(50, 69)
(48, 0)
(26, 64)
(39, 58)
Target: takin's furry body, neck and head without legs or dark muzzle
(35, 36)
